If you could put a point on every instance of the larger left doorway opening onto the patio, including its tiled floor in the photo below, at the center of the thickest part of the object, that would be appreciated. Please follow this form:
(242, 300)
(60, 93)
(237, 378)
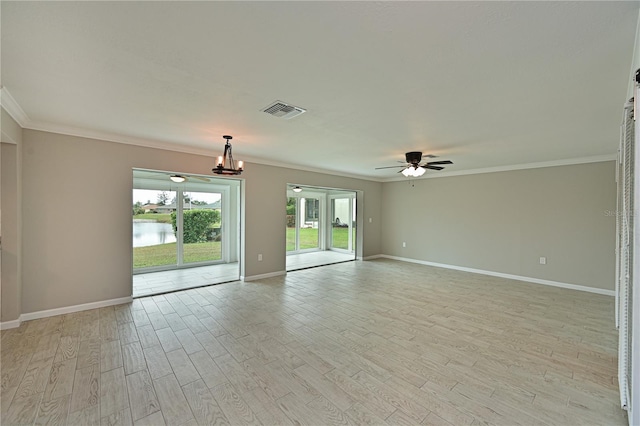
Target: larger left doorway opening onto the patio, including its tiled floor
(185, 234)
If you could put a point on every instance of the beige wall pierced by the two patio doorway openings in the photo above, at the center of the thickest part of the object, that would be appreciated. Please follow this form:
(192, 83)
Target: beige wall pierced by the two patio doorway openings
(77, 215)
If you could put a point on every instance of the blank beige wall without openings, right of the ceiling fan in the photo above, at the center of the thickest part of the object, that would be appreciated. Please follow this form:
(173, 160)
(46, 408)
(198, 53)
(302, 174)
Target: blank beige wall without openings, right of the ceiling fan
(504, 222)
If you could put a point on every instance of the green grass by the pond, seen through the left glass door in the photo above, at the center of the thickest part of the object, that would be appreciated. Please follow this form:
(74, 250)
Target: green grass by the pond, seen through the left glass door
(166, 254)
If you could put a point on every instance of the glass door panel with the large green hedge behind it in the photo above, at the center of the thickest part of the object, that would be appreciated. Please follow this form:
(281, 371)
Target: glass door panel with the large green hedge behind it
(202, 227)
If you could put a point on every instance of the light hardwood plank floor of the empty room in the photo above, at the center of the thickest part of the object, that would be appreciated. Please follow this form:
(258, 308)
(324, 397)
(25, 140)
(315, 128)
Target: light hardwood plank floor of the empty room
(377, 342)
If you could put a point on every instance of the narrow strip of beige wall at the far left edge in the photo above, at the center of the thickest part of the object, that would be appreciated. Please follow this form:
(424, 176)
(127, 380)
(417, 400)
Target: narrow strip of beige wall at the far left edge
(10, 197)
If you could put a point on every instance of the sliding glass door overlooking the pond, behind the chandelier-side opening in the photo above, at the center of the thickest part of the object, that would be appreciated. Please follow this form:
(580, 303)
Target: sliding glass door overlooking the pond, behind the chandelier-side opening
(194, 223)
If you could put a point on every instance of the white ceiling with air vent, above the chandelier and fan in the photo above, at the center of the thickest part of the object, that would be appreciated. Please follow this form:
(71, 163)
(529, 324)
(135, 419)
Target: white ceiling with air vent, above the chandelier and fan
(484, 84)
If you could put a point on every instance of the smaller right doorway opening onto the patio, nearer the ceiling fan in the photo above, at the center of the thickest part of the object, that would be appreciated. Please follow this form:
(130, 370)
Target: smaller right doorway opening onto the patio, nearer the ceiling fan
(321, 226)
